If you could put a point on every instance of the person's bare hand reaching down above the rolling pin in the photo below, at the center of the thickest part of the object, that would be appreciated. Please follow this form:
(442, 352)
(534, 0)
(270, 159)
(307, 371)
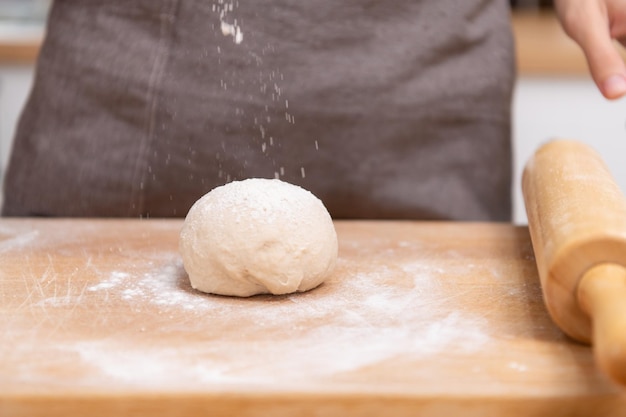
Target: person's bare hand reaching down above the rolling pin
(594, 24)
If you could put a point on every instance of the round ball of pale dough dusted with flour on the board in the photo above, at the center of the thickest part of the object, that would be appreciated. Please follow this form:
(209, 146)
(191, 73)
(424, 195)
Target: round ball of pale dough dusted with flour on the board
(258, 236)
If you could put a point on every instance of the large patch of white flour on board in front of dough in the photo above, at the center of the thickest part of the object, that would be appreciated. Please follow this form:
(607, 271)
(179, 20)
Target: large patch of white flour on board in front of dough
(361, 322)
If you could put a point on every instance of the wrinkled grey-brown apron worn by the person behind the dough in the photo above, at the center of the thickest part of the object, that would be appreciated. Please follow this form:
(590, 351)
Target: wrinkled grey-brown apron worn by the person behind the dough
(383, 109)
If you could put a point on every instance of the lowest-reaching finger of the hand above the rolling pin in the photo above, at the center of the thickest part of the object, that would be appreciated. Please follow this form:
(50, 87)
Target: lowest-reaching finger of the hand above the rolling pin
(590, 29)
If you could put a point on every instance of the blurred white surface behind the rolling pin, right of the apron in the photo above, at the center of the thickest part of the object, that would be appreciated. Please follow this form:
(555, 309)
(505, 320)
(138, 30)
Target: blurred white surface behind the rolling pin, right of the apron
(570, 108)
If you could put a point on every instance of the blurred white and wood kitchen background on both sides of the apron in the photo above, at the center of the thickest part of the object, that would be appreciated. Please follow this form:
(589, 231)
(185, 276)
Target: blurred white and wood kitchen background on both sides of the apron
(554, 94)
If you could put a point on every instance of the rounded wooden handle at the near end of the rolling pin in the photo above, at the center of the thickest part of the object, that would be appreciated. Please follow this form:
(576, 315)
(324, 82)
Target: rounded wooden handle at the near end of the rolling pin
(602, 295)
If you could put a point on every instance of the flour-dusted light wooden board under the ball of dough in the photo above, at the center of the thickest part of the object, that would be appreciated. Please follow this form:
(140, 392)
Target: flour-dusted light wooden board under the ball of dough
(97, 318)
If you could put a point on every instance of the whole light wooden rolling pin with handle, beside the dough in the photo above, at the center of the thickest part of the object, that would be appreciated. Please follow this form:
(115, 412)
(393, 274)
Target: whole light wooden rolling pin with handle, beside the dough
(577, 221)
